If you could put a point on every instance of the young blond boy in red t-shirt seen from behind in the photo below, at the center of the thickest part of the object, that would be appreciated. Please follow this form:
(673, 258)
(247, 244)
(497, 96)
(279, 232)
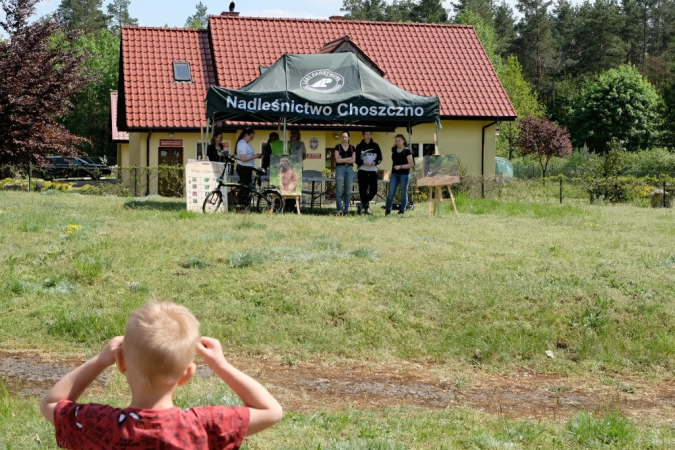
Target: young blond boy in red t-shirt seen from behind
(156, 353)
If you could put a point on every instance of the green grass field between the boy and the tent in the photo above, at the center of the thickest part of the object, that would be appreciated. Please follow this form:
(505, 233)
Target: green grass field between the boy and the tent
(489, 292)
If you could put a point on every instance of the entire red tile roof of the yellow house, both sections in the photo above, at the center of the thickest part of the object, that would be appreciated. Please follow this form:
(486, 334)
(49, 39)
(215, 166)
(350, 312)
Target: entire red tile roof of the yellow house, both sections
(426, 59)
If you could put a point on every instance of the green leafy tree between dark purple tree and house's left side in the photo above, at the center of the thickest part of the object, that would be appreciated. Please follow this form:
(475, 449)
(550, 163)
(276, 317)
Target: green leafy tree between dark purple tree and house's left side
(90, 115)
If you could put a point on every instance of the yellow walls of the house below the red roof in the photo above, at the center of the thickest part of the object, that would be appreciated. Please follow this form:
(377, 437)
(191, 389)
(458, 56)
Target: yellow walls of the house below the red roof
(461, 138)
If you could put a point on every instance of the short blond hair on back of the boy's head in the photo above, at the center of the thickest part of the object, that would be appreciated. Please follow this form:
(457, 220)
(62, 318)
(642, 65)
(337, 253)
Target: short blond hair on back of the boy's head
(160, 341)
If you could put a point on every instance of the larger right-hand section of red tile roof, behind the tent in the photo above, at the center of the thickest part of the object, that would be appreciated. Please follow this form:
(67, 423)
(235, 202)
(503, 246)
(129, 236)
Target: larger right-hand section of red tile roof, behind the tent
(426, 59)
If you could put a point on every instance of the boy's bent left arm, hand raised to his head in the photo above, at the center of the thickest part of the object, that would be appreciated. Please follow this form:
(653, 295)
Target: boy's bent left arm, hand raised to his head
(73, 385)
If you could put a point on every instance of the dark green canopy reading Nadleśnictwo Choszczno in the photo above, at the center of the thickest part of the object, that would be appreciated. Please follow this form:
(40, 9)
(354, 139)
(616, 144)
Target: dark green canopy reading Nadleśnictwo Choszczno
(321, 88)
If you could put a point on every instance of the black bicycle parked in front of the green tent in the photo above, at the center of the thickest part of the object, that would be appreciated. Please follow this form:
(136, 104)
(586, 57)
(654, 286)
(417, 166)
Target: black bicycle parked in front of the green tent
(268, 200)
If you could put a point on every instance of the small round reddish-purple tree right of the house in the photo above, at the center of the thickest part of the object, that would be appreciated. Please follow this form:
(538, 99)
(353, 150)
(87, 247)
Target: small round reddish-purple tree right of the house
(544, 140)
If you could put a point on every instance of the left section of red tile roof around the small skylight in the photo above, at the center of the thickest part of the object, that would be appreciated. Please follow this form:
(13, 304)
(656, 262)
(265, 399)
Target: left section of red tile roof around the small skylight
(151, 97)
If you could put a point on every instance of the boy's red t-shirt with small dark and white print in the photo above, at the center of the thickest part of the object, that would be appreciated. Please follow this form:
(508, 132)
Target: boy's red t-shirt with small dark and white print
(102, 427)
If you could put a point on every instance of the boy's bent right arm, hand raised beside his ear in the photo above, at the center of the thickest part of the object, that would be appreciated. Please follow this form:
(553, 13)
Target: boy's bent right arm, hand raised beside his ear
(265, 409)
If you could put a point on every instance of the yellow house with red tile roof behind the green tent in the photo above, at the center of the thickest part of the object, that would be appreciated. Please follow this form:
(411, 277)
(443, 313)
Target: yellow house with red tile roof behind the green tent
(165, 74)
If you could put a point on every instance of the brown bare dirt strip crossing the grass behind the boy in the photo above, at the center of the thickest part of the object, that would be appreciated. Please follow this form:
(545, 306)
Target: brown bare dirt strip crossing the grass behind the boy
(313, 387)
